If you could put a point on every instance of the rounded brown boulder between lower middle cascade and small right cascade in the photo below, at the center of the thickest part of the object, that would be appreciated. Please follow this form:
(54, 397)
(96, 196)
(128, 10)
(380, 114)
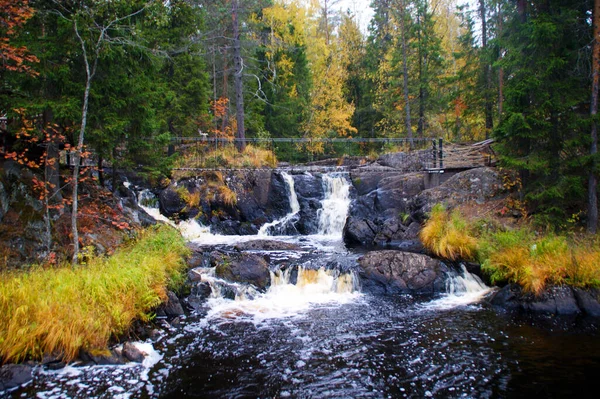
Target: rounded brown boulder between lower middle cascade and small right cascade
(397, 272)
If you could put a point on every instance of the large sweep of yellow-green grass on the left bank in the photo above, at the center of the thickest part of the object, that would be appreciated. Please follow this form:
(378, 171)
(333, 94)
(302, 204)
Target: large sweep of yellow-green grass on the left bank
(63, 310)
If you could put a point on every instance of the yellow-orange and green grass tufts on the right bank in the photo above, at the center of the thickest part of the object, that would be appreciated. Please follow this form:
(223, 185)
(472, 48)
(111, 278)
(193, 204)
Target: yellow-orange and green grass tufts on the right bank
(531, 259)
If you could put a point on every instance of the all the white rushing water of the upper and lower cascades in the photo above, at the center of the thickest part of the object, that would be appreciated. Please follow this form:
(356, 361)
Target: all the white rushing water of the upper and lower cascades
(315, 286)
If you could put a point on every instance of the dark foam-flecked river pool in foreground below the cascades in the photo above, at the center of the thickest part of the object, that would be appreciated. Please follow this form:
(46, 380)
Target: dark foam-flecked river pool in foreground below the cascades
(369, 347)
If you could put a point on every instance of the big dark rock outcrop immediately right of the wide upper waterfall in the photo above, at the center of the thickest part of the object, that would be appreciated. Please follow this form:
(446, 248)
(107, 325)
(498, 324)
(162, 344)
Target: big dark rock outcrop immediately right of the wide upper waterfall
(388, 206)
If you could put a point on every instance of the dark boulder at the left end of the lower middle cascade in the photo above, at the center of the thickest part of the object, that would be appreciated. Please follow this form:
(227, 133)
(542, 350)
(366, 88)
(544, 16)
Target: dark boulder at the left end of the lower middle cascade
(244, 268)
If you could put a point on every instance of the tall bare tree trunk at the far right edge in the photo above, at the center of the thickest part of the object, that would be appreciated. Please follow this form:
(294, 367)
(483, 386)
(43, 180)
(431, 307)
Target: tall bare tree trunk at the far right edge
(592, 225)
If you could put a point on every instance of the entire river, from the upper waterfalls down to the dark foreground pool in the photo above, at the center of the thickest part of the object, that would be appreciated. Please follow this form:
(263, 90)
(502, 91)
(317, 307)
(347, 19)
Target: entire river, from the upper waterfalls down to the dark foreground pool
(318, 336)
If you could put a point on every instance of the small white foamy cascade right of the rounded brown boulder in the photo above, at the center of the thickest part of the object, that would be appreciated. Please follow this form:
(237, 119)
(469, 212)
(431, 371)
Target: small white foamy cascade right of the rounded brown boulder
(463, 289)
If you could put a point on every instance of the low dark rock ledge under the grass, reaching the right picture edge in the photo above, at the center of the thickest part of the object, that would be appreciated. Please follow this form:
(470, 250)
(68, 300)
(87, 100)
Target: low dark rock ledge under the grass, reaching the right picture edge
(556, 300)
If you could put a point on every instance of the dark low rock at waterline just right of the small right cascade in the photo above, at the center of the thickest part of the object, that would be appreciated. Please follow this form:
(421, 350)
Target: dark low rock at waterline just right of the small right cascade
(557, 300)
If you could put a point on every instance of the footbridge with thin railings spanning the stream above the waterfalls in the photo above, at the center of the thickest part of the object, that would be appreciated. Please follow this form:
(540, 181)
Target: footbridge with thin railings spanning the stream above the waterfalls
(338, 154)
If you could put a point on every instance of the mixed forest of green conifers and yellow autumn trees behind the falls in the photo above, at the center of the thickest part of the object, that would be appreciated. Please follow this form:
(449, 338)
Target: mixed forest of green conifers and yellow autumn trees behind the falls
(119, 79)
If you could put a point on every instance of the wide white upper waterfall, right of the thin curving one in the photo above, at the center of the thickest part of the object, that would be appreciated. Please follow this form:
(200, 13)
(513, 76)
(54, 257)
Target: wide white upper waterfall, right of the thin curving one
(334, 207)
